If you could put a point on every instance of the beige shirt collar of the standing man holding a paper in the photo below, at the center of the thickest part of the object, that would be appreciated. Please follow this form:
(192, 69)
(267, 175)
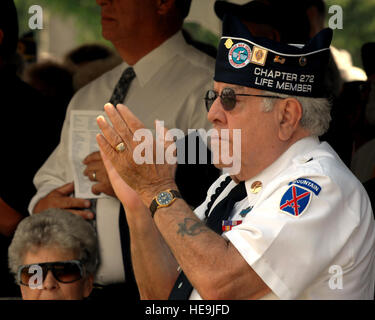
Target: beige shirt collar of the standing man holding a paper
(150, 64)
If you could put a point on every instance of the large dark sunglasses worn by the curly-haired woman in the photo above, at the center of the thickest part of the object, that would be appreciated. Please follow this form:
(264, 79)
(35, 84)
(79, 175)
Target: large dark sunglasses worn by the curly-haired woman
(63, 271)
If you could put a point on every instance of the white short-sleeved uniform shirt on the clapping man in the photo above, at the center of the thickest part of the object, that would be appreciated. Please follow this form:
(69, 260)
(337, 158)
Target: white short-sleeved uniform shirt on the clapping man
(300, 257)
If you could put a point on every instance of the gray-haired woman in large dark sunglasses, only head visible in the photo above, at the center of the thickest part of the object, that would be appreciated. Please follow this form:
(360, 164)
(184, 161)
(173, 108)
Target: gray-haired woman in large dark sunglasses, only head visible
(54, 256)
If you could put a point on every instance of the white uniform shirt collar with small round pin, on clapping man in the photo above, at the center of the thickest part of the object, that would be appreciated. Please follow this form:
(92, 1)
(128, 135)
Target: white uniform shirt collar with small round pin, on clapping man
(263, 178)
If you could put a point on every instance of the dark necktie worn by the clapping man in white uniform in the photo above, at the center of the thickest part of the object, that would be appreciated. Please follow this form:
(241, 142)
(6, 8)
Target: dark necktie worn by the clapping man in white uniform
(182, 287)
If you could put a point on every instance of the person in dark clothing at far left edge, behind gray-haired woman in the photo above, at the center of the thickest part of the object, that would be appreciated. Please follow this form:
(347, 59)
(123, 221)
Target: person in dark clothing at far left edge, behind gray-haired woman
(25, 146)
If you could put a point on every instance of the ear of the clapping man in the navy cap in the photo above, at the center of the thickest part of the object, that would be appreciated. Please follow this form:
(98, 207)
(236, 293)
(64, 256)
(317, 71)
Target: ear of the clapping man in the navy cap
(289, 117)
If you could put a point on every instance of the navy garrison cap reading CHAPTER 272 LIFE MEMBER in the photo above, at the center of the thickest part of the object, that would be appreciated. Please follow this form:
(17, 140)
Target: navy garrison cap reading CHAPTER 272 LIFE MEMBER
(260, 63)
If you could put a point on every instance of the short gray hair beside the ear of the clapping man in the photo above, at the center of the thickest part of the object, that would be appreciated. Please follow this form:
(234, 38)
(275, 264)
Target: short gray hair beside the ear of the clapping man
(315, 112)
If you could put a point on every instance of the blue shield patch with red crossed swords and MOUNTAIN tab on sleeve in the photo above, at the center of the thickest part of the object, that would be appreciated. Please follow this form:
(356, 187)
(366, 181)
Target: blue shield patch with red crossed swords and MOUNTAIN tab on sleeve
(297, 198)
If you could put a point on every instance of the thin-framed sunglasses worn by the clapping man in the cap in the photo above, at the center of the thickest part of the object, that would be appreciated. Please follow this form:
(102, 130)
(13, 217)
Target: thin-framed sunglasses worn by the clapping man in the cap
(228, 98)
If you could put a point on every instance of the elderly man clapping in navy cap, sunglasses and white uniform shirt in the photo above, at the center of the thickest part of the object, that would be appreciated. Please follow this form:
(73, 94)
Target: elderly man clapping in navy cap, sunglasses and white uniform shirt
(293, 223)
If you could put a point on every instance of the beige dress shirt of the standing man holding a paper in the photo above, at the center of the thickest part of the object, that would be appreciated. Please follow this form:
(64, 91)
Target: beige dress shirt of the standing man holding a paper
(170, 85)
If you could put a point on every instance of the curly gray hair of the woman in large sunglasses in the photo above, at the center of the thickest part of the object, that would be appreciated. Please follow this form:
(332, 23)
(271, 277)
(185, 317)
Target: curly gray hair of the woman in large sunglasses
(55, 228)
